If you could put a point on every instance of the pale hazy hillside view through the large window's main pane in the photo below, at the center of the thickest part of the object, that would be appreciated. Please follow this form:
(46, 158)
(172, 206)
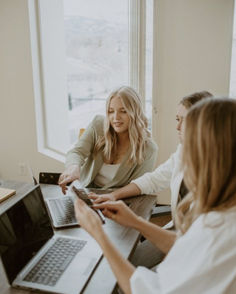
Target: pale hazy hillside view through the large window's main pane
(96, 35)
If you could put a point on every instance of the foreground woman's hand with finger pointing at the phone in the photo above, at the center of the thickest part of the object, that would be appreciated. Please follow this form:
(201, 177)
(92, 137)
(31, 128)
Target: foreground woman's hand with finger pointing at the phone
(119, 212)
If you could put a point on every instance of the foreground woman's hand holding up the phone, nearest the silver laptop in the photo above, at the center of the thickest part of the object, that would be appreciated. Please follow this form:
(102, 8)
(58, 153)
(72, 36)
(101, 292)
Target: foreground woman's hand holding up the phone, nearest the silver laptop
(88, 219)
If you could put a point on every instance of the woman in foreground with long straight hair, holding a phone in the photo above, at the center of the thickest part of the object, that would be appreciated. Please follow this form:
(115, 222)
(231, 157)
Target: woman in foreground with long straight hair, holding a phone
(202, 255)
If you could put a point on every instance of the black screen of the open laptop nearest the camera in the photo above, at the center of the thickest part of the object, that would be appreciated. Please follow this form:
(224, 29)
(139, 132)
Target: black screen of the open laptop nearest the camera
(24, 229)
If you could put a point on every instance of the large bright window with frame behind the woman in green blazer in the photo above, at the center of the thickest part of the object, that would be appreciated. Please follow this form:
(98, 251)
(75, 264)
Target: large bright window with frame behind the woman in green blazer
(82, 50)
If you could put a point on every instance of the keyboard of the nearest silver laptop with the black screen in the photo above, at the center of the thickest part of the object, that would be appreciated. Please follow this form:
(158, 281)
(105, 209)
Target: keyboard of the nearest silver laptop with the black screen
(52, 265)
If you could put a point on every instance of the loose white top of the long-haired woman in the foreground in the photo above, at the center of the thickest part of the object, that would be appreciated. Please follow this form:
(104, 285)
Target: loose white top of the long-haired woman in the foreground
(203, 260)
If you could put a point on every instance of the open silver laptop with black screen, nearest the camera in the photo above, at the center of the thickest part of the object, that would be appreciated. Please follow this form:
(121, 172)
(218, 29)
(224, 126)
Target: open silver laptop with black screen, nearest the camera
(33, 257)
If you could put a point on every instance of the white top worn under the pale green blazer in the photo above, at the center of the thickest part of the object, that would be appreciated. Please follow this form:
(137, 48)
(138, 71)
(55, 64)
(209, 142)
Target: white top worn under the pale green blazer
(106, 174)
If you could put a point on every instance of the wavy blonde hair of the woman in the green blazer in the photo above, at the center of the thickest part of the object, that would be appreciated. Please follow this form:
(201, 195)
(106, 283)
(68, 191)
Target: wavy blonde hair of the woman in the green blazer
(138, 123)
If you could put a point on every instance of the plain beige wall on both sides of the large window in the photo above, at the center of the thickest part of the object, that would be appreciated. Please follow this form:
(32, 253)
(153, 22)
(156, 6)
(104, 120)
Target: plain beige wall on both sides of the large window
(193, 53)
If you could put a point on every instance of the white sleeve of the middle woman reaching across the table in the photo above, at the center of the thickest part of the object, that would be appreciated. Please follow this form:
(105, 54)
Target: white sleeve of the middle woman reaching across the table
(159, 179)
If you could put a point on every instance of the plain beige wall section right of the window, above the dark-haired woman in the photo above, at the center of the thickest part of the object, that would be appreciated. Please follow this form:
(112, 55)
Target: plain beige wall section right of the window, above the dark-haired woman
(194, 40)
